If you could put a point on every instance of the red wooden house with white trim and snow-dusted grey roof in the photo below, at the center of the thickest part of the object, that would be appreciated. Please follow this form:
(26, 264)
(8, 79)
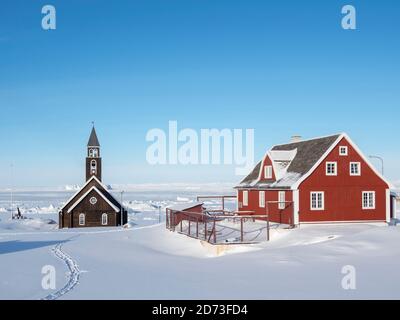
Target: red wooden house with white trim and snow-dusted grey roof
(320, 180)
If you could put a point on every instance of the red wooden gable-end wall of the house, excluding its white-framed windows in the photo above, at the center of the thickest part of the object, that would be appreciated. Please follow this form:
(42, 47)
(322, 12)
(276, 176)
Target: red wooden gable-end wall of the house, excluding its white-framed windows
(343, 193)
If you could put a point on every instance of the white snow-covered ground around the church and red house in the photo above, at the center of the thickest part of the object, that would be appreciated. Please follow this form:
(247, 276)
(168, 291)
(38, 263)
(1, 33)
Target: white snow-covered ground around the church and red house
(148, 262)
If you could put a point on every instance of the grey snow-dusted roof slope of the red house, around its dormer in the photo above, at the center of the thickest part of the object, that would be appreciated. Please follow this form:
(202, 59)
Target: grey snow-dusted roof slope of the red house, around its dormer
(307, 155)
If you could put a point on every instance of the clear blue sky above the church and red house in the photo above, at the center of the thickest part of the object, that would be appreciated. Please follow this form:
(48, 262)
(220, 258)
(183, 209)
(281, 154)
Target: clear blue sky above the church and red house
(280, 67)
